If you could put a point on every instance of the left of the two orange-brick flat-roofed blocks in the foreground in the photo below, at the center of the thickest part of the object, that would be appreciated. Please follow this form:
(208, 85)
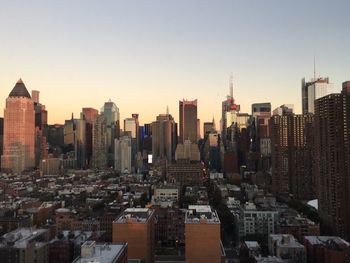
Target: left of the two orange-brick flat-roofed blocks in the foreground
(135, 226)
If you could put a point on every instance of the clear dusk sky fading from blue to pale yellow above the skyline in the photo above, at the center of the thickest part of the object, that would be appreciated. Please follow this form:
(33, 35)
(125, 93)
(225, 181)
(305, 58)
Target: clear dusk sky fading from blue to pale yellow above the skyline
(147, 54)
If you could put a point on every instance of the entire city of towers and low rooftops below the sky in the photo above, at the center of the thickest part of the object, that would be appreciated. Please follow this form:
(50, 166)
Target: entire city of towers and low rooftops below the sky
(100, 189)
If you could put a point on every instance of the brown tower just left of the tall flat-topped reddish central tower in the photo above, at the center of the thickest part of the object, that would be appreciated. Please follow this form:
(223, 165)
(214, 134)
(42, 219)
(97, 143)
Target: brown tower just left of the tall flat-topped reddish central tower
(164, 137)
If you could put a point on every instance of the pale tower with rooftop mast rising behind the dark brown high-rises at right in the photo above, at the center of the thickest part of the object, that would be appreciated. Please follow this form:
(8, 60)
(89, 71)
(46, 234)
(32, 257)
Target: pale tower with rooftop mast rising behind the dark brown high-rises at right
(313, 90)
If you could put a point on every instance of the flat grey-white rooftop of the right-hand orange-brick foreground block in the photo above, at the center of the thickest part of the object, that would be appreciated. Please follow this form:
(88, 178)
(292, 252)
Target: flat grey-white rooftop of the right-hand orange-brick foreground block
(201, 214)
